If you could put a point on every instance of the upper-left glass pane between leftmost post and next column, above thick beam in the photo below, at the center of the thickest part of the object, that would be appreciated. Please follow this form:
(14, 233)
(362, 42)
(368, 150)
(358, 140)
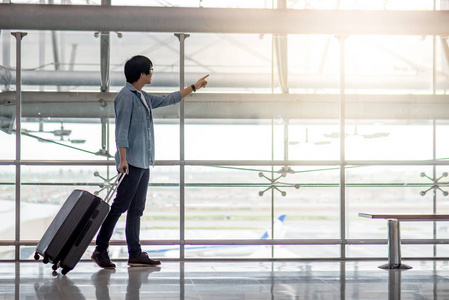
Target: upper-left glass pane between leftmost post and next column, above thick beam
(60, 61)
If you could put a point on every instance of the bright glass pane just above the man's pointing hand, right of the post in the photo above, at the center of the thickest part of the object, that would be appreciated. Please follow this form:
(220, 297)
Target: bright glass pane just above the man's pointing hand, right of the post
(235, 62)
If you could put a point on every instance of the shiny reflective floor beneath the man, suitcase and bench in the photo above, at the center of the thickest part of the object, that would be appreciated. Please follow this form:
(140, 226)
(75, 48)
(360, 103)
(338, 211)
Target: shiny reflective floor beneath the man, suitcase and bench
(228, 280)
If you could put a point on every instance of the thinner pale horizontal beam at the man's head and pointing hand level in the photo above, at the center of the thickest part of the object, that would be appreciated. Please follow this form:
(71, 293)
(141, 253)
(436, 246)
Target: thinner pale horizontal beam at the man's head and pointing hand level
(230, 80)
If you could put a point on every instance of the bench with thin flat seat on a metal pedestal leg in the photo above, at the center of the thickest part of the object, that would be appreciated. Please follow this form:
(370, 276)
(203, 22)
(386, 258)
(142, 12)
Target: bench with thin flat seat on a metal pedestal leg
(394, 236)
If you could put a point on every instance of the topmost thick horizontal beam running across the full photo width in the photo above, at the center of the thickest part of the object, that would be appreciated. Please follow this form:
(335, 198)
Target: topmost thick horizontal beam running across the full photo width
(221, 20)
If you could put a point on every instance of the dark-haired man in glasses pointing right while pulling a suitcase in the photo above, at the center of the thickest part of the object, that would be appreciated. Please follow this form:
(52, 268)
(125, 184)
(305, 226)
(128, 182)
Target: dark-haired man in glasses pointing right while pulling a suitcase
(134, 137)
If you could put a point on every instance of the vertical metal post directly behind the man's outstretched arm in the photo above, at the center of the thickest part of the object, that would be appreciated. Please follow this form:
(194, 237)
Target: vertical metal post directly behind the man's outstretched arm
(181, 37)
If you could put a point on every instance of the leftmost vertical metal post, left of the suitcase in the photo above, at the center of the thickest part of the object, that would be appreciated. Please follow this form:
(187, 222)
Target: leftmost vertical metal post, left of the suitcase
(18, 36)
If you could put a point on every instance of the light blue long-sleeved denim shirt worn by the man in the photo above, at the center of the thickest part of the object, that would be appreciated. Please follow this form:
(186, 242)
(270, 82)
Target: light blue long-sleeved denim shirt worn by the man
(134, 128)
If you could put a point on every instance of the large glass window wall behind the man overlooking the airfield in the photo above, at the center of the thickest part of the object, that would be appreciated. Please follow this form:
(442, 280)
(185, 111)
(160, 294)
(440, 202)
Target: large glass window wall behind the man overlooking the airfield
(262, 144)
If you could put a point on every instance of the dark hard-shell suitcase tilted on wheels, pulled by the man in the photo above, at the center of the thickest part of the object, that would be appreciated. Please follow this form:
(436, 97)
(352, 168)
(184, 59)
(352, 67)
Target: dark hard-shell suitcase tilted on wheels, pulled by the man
(74, 227)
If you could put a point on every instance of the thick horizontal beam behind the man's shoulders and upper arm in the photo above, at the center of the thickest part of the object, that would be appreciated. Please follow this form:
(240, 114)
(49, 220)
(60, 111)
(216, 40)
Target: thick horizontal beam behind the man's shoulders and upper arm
(235, 106)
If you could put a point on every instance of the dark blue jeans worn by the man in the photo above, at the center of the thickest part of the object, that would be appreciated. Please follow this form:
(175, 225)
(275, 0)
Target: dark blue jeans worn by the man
(131, 197)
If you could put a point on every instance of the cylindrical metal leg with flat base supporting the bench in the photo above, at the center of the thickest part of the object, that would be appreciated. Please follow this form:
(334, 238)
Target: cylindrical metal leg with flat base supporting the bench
(394, 247)
